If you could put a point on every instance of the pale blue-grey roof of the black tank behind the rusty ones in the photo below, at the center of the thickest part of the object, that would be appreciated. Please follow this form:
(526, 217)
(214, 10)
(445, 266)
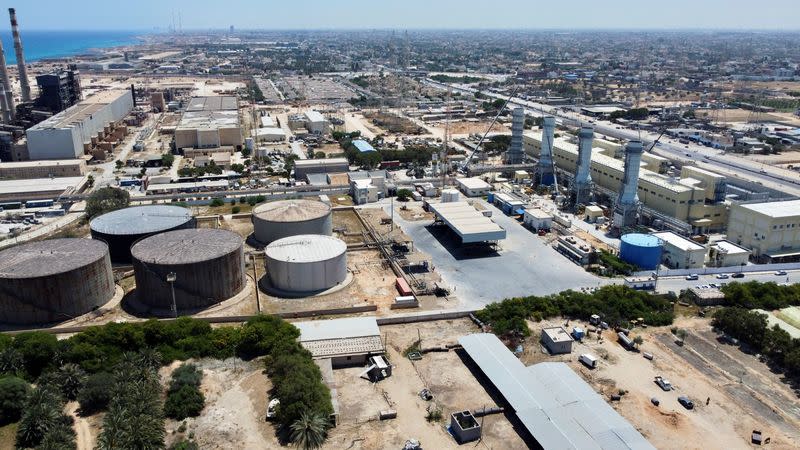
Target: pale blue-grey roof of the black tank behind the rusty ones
(141, 219)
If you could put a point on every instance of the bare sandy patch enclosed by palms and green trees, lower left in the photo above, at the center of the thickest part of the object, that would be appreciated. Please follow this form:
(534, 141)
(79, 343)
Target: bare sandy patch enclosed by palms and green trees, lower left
(235, 408)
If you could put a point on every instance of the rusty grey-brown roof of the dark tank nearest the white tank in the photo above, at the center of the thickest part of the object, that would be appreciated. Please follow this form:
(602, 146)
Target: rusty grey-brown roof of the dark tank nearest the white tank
(187, 246)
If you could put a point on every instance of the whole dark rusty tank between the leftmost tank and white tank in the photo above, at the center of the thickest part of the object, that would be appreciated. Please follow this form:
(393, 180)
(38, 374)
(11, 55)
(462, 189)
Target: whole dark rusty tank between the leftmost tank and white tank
(206, 267)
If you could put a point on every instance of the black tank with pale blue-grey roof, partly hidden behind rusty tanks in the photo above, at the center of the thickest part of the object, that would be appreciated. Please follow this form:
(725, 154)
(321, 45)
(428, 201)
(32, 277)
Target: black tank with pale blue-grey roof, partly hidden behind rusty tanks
(120, 229)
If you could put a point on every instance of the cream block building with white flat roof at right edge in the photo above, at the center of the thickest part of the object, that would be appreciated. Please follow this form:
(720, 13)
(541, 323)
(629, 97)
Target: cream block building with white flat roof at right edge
(771, 229)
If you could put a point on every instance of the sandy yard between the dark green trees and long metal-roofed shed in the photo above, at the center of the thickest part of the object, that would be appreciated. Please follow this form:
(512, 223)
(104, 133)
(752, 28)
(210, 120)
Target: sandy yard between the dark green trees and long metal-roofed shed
(443, 373)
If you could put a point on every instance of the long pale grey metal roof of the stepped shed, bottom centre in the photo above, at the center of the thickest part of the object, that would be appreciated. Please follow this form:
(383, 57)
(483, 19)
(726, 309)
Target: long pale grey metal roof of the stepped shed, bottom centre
(558, 408)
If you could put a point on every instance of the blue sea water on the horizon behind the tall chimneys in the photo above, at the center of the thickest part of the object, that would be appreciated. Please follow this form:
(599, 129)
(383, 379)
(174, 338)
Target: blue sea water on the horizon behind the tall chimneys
(50, 44)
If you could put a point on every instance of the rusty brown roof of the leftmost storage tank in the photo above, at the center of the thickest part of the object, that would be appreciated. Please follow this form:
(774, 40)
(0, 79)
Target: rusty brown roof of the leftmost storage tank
(43, 258)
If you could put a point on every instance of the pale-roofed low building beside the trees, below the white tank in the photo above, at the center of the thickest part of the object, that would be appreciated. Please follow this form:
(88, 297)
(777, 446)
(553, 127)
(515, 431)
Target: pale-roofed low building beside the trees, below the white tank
(340, 337)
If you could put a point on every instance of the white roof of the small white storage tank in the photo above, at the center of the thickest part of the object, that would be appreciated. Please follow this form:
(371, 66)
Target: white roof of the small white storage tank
(306, 248)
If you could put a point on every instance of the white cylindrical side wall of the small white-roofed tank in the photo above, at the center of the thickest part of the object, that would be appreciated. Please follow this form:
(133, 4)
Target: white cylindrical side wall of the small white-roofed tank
(308, 276)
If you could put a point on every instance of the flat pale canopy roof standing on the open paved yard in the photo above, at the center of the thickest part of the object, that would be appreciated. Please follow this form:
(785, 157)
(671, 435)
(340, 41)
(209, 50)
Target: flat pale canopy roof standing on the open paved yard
(470, 224)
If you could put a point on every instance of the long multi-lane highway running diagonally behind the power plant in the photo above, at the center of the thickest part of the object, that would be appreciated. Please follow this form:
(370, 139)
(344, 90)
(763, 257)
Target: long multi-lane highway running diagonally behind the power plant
(776, 178)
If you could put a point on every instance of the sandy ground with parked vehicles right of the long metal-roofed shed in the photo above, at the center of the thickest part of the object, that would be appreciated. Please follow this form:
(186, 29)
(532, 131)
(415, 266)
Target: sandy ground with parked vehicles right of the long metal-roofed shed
(725, 423)
